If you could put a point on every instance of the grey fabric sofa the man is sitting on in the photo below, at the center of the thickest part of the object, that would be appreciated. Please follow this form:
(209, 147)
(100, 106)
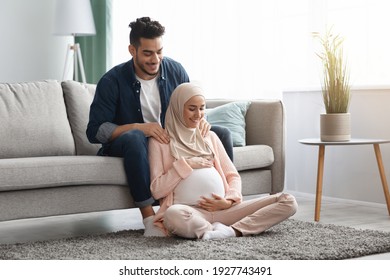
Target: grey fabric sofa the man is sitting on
(48, 167)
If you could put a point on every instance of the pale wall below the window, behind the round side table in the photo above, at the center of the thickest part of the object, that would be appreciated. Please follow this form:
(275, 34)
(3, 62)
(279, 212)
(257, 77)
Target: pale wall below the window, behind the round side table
(350, 172)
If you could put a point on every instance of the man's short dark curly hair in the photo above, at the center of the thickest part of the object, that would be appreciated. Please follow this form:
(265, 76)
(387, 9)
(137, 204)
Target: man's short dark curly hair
(144, 28)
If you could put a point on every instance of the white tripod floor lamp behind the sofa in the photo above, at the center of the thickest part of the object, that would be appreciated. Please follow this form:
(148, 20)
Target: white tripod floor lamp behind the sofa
(74, 18)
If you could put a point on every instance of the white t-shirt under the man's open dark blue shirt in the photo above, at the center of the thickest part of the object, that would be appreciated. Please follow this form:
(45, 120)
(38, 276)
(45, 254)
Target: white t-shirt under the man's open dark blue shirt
(150, 100)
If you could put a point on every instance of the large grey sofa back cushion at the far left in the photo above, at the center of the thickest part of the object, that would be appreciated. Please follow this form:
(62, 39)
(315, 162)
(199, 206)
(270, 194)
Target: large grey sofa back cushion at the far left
(33, 120)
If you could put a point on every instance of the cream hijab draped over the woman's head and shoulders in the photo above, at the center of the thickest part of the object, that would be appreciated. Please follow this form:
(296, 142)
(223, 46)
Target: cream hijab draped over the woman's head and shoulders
(185, 142)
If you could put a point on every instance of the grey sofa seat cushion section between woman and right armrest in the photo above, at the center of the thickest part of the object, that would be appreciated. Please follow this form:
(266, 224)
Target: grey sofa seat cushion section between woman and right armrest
(253, 157)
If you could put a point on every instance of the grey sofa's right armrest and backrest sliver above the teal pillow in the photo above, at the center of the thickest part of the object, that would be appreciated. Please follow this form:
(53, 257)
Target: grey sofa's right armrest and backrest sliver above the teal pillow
(265, 125)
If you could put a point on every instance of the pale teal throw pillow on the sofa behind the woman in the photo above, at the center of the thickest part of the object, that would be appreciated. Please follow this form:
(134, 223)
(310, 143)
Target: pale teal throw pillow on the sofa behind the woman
(231, 116)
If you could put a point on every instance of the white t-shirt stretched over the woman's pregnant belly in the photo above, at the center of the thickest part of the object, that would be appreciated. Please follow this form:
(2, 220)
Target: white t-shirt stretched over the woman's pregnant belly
(201, 182)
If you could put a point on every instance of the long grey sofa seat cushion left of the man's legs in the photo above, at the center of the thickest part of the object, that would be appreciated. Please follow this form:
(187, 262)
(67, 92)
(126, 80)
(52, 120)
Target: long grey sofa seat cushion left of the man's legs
(46, 172)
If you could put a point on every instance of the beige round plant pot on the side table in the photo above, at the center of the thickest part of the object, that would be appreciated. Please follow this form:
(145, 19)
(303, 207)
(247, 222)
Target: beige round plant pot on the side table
(335, 127)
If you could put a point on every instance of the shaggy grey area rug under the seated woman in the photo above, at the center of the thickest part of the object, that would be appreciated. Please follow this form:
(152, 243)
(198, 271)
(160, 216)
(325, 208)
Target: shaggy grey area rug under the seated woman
(290, 240)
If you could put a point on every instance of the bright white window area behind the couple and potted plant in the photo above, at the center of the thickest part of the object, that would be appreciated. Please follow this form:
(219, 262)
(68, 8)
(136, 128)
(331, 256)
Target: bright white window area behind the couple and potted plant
(255, 48)
